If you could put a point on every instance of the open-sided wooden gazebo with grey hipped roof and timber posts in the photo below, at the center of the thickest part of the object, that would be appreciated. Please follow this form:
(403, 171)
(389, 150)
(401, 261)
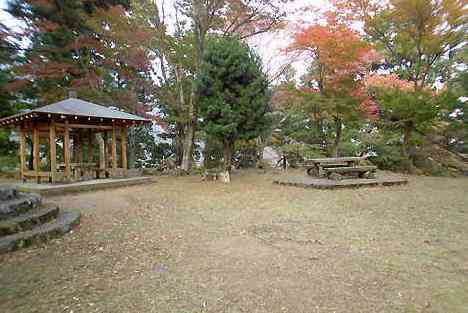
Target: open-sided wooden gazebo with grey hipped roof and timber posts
(90, 139)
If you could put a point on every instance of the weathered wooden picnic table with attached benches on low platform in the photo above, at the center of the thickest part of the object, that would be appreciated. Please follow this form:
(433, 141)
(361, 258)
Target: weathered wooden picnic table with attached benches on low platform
(339, 168)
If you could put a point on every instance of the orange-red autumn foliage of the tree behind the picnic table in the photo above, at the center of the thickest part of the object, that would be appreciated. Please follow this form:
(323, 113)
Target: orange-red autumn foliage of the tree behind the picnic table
(342, 61)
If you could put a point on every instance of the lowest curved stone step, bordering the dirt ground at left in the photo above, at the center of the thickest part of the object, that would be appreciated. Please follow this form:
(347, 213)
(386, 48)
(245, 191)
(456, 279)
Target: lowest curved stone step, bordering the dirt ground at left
(64, 223)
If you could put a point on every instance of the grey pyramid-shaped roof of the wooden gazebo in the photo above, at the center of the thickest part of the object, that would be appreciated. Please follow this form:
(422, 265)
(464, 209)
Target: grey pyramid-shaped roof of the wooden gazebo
(73, 107)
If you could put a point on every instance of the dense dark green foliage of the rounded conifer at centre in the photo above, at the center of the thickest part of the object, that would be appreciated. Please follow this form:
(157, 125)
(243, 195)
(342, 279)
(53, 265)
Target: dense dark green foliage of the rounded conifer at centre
(232, 90)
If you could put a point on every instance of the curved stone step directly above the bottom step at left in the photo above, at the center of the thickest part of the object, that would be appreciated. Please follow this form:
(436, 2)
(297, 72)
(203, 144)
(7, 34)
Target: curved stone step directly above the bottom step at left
(28, 220)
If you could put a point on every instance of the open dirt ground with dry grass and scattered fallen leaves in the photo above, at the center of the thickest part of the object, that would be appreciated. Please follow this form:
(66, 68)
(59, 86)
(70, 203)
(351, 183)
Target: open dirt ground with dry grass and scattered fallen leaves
(185, 246)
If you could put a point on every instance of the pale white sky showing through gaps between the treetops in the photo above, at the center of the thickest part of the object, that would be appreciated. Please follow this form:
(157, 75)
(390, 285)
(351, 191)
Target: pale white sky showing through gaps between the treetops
(268, 46)
